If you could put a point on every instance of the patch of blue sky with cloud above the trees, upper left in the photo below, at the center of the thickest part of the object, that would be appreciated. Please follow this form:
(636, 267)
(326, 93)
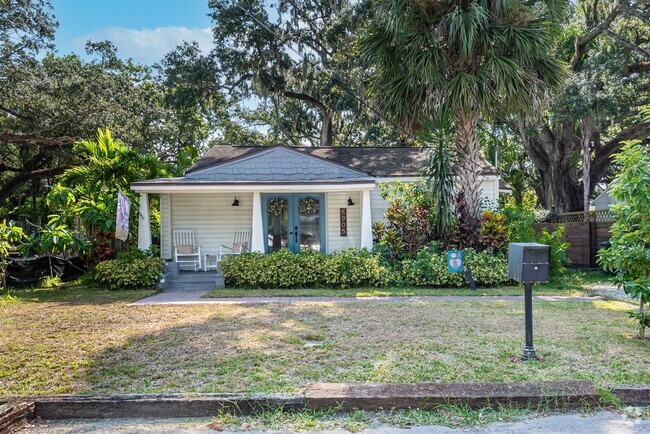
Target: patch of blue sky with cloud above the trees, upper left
(141, 29)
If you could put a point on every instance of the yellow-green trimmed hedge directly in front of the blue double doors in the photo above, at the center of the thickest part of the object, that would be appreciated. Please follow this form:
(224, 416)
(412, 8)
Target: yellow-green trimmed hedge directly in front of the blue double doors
(307, 269)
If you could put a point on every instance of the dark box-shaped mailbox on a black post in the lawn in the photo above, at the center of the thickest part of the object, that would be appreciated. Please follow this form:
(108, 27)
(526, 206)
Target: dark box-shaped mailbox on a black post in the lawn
(529, 263)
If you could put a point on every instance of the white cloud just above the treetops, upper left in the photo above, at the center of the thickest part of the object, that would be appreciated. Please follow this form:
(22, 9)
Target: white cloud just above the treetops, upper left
(147, 45)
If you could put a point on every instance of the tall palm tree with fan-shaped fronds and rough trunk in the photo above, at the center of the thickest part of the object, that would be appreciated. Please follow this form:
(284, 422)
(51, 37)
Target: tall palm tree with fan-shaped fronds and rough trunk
(473, 57)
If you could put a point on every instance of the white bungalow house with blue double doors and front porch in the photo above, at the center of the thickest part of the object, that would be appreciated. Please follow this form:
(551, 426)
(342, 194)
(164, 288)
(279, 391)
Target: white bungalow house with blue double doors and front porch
(281, 197)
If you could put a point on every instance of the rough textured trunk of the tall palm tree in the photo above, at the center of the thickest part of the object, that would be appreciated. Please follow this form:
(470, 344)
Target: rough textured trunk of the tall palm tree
(469, 166)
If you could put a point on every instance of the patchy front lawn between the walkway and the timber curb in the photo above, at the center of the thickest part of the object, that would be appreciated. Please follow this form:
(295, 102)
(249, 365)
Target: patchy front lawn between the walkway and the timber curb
(80, 341)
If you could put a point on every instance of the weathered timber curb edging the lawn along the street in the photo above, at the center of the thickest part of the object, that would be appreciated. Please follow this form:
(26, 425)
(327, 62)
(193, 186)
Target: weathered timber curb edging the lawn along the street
(15, 411)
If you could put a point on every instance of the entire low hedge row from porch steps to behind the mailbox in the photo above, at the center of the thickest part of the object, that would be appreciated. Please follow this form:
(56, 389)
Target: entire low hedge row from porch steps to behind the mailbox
(357, 269)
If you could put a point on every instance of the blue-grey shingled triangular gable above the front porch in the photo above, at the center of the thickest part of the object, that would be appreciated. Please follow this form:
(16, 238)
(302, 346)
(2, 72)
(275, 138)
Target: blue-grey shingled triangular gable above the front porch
(278, 163)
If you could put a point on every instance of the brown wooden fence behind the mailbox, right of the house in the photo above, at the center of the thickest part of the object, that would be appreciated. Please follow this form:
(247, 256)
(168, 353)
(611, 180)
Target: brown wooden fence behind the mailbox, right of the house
(584, 237)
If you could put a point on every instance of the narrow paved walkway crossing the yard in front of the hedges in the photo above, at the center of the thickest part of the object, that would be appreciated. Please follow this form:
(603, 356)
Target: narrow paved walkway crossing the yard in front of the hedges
(194, 297)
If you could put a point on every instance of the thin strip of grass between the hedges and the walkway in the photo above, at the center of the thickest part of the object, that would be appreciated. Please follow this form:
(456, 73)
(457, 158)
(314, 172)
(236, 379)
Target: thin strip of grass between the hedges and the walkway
(572, 282)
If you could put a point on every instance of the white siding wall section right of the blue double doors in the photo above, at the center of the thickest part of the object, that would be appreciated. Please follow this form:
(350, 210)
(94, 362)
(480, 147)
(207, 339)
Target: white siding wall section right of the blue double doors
(333, 202)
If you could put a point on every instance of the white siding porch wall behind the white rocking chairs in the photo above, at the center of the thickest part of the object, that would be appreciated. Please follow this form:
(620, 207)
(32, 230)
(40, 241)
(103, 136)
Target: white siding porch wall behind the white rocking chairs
(211, 216)
